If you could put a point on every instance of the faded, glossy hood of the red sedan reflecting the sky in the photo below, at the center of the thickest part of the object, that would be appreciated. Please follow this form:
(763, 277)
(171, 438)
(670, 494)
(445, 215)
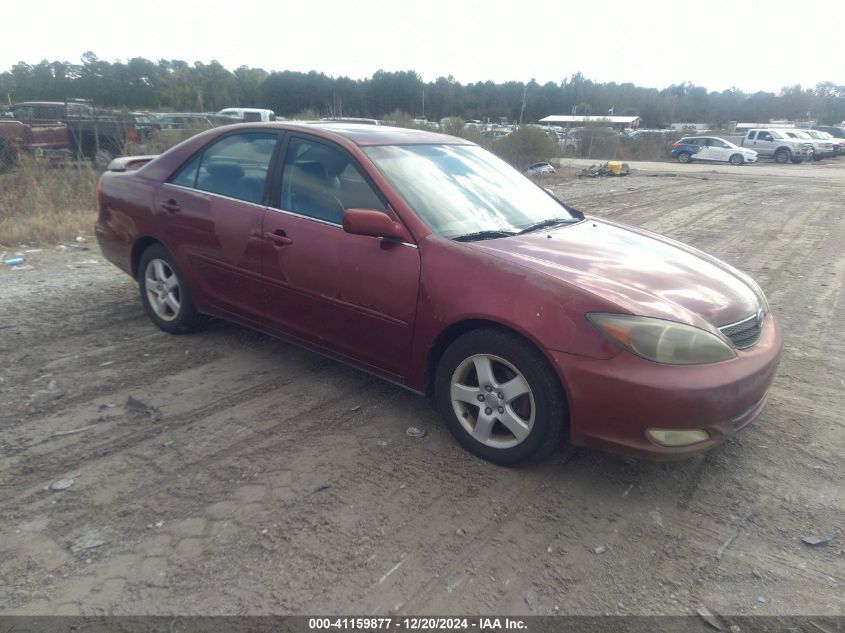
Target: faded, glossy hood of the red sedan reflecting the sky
(638, 271)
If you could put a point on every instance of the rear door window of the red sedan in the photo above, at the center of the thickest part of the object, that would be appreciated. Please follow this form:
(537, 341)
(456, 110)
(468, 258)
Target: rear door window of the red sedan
(235, 166)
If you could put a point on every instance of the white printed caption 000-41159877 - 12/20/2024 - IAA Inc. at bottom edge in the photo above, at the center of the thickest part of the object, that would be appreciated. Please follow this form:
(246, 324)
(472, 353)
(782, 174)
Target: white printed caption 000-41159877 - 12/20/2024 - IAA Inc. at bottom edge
(416, 624)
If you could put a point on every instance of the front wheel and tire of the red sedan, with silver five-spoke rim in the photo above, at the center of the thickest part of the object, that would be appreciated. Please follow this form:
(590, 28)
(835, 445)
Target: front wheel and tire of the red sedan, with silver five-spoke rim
(500, 397)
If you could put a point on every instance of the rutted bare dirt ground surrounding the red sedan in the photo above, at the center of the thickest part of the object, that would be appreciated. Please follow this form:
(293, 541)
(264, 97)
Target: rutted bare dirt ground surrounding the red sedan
(229, 473)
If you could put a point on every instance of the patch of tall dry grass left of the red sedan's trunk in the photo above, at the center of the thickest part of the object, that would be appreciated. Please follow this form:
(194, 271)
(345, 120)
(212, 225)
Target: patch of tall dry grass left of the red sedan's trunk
(44, 204)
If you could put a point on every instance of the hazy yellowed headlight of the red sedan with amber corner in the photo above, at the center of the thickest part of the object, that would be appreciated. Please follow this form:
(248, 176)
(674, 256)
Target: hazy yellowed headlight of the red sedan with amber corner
(662, 341)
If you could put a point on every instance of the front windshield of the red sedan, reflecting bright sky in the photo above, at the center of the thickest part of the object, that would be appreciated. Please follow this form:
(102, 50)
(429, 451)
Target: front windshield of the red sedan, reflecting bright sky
(462, 189)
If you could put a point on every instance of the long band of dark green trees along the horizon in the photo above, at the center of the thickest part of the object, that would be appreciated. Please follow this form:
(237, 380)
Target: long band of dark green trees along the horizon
(176, 85)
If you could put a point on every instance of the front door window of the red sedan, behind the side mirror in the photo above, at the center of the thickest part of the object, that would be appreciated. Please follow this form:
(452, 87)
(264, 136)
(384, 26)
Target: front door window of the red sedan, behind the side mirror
(321, 182)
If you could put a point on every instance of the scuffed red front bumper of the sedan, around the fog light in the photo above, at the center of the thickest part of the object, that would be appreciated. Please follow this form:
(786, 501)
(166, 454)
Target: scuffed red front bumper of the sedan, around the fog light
(613, 402)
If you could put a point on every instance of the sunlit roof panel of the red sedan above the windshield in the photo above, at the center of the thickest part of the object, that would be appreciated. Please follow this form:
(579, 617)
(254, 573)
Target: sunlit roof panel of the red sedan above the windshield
(368, 135)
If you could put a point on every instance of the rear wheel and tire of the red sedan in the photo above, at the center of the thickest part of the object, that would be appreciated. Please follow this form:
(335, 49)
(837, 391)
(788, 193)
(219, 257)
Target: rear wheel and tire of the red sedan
(164, 293)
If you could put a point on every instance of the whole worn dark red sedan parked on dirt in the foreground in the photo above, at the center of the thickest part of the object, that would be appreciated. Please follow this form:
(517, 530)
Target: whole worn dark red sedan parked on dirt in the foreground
(428, 261)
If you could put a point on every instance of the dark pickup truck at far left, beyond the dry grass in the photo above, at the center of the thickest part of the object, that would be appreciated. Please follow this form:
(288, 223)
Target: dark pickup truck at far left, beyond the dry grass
(94, 134)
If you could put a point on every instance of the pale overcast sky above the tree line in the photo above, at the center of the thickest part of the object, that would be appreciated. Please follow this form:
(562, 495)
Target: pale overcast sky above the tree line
(749, 44)
